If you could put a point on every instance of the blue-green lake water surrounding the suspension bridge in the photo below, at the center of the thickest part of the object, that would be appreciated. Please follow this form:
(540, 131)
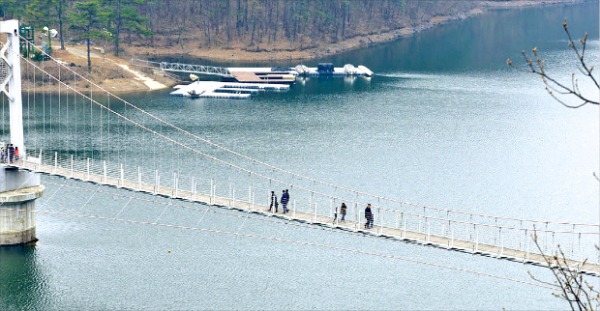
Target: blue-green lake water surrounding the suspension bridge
(443, 123)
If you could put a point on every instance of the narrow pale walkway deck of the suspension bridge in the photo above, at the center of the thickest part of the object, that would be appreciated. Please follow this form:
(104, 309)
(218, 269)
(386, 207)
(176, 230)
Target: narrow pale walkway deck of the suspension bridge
(381, 231)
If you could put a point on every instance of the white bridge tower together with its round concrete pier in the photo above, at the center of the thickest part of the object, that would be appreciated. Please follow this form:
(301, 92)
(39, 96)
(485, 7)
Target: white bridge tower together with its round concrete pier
(18, 189)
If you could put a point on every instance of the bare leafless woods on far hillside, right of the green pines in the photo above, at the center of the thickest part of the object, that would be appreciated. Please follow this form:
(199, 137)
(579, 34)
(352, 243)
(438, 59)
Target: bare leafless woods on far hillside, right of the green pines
(285, 24)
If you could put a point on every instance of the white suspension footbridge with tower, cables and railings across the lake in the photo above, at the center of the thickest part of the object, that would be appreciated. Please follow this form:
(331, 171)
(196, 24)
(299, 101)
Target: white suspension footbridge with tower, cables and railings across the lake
(97, 137)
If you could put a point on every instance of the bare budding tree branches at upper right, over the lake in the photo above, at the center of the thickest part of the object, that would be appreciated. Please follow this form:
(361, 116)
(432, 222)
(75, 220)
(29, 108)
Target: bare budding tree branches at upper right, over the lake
(556, 88)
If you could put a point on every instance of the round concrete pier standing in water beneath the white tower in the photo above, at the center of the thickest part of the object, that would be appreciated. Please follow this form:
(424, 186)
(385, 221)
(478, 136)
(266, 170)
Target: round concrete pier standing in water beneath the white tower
(18, 192)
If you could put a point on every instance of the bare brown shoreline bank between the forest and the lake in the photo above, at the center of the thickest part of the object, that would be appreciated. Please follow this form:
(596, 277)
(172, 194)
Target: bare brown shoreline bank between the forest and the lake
(118, 76)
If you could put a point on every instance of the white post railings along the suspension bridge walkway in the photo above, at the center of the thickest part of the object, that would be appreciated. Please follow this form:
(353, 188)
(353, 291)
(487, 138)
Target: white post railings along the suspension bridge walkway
(498, 236)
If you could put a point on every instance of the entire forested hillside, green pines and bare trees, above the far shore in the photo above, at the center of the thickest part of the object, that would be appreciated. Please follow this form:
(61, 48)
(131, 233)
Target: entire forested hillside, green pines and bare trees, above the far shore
(181, 26)
